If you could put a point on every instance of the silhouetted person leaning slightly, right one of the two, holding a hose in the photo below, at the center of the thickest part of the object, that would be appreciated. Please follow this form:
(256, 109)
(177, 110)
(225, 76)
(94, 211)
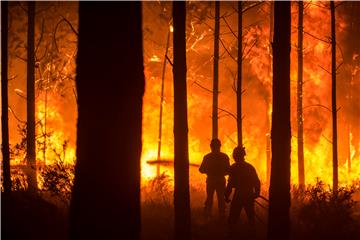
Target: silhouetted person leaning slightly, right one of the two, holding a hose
(244, 179)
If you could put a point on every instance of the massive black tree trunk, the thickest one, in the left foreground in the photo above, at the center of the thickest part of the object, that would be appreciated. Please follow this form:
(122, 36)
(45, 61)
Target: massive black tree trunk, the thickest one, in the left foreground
(110, 82)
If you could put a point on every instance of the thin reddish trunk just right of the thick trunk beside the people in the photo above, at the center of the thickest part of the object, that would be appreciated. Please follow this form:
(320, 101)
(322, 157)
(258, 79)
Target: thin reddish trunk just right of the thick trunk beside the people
(301, 170)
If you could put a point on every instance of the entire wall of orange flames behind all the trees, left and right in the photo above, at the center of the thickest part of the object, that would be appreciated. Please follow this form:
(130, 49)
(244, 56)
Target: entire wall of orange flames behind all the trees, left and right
(57, 137)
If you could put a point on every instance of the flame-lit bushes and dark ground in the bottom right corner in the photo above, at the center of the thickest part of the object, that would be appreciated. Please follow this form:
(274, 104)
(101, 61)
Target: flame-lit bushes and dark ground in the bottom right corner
(320, 213)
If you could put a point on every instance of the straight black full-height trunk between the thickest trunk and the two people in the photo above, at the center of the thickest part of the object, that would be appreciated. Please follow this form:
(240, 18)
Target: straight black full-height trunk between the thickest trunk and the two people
(181, 161)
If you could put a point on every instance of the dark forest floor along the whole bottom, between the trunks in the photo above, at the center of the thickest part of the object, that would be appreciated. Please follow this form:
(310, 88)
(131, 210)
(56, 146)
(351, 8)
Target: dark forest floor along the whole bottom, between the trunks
(31, 217)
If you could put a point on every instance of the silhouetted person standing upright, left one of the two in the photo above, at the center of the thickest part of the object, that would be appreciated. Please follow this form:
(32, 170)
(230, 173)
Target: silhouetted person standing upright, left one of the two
(216, 166)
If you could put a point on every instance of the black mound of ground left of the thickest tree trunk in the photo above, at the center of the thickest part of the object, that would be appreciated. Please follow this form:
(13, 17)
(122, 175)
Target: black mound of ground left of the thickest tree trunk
(27, 216)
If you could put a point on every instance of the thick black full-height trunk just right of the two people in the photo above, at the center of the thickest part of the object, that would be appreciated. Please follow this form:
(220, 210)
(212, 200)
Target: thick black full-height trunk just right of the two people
(279, 192)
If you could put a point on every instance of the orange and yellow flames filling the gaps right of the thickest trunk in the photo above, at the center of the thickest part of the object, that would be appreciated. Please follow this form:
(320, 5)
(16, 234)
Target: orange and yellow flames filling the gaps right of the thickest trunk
(257, 95)
